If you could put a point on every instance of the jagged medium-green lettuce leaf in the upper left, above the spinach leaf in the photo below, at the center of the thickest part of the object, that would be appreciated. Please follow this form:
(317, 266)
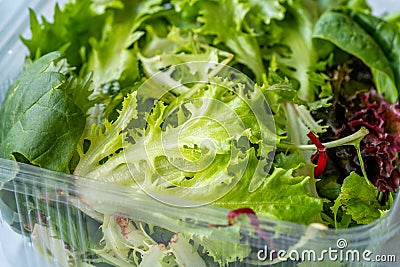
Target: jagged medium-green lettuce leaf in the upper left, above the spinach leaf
(69, 32)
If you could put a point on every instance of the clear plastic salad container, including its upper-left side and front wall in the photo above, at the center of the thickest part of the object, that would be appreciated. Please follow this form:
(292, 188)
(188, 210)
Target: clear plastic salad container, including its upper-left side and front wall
(35, 191)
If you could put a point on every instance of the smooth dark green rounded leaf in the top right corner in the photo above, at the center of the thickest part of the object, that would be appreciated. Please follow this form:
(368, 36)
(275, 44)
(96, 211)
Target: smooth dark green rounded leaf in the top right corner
(356, 40)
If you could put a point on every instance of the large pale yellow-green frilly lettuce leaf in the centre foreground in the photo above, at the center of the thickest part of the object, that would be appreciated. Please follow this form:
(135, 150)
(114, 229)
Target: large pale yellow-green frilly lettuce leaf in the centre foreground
(216, 130)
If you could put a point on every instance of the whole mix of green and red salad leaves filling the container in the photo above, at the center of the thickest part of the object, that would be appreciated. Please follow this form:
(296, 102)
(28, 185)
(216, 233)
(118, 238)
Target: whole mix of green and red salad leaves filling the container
(329, 72)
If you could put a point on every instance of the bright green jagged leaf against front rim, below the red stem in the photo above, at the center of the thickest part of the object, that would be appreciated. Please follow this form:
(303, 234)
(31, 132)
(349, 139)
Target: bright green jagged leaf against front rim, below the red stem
(281, 196)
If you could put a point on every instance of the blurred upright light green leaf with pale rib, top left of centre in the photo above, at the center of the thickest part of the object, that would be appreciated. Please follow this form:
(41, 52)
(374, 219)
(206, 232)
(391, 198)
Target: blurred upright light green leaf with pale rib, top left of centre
(111, 57)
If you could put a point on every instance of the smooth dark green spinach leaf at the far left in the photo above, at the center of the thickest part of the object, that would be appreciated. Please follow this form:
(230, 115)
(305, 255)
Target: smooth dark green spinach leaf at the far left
(38, 120)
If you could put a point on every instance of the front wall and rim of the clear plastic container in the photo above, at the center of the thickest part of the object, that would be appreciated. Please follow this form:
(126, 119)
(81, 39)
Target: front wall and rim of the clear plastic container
(57, 194)
